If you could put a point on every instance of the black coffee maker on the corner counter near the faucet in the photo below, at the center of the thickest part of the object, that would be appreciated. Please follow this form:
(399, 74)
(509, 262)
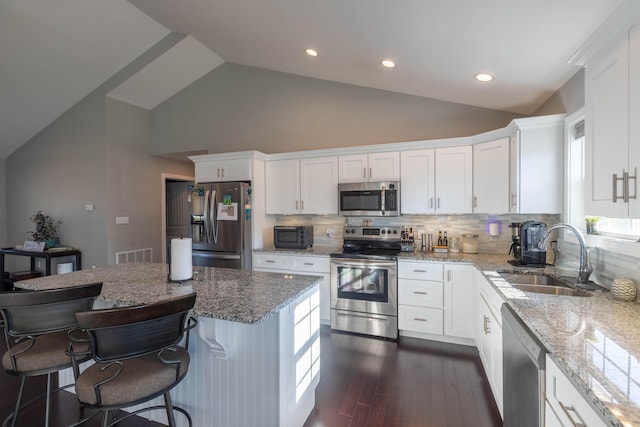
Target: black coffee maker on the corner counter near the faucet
(525, 237)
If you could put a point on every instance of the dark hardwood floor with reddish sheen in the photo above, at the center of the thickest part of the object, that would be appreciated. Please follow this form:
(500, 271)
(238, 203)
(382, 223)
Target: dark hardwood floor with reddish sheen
(364, 382)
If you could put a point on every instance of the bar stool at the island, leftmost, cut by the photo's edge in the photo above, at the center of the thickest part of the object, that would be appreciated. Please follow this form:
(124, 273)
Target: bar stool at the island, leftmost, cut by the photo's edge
(38, 325)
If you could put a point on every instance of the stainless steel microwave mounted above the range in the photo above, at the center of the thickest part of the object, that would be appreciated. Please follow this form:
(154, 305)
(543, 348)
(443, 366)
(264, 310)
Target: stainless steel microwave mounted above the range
(369, 198)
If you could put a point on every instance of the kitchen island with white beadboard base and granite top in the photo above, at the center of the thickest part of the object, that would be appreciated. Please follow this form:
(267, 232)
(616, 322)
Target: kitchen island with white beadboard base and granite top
(255, 356)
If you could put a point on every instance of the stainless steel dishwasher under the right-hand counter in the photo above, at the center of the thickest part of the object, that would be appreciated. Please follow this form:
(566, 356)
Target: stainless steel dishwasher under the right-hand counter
(523, 365)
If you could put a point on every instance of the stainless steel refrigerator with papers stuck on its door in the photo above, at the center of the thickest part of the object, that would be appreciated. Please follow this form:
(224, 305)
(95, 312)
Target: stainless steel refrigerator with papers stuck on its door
(221, 225)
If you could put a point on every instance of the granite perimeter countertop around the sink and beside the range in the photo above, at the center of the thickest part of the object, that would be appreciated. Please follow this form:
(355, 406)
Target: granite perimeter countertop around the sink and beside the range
(593, 339)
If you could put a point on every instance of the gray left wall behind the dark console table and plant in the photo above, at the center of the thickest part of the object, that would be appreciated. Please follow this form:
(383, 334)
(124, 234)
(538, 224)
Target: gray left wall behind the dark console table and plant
(81, 158)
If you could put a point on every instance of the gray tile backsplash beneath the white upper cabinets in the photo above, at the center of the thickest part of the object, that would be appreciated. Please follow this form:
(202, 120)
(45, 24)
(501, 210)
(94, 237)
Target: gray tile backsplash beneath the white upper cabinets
(455, 225)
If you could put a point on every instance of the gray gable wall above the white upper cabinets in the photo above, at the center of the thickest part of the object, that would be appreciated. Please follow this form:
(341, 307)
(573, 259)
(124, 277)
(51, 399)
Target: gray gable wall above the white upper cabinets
(237, 107)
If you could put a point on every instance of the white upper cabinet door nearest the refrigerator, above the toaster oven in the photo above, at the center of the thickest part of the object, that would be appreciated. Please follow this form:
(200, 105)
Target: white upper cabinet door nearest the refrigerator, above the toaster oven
(283, 187)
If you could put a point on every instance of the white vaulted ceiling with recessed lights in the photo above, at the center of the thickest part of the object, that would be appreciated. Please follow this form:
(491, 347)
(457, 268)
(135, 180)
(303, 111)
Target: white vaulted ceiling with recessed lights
(53, 53)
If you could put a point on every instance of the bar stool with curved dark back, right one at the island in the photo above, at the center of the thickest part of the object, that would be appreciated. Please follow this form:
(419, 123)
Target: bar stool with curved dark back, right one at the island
(137, 355)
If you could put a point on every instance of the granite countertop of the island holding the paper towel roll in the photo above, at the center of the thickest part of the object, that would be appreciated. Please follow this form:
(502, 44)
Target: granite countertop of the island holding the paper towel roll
(234, 295)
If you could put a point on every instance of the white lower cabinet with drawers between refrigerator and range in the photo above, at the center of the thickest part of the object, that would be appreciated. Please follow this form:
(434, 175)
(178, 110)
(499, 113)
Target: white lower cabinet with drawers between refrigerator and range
(311, 265)
